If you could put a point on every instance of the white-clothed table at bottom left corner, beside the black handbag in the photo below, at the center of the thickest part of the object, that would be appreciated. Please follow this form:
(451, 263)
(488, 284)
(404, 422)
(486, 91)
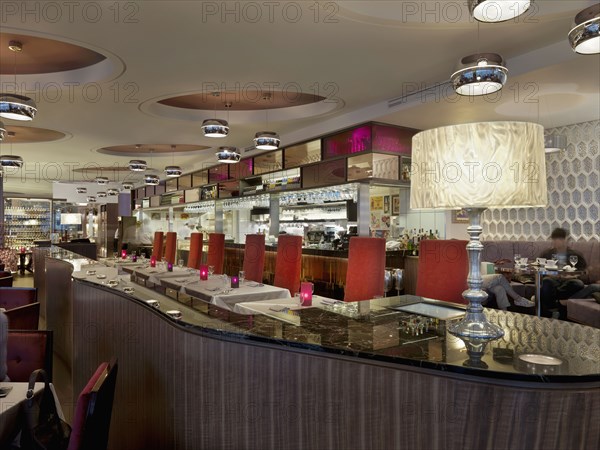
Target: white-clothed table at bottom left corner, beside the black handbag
(10, 408)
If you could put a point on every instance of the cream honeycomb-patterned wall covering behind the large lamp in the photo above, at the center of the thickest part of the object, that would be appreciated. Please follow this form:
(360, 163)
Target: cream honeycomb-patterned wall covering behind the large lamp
(573, 193)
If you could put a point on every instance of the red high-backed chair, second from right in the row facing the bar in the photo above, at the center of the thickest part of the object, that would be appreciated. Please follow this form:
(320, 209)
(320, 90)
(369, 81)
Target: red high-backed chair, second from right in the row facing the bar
(366, 269)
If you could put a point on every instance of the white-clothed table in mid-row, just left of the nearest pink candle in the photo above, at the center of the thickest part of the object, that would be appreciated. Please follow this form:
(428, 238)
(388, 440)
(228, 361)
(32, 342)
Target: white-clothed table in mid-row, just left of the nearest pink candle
(217, 290)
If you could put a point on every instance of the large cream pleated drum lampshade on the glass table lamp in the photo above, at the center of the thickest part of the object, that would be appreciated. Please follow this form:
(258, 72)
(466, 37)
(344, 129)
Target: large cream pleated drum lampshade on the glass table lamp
(479, 165)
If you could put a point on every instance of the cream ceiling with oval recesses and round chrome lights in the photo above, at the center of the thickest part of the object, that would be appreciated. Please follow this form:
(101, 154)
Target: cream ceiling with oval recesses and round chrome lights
(367, 59)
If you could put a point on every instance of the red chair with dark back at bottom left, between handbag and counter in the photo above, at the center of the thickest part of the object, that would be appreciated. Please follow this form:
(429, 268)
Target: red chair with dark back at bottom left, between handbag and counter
(91, 422)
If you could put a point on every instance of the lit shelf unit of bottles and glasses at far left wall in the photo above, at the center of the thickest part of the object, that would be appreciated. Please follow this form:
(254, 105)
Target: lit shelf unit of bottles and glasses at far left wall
(26, 221)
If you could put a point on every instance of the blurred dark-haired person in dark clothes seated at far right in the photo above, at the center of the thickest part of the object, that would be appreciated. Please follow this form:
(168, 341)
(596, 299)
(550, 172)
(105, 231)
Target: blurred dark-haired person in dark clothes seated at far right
(560, 288)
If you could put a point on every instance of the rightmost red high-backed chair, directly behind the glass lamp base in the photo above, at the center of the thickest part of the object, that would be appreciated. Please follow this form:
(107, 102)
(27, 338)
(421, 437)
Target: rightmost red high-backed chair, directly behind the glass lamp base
(442, 270)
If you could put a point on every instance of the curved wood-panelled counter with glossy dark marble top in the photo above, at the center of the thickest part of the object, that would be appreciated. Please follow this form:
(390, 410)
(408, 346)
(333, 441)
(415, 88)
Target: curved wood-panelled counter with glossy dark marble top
(335, 376)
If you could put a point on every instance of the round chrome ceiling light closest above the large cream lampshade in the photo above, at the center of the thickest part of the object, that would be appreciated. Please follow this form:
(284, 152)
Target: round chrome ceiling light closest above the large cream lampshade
(481, 74)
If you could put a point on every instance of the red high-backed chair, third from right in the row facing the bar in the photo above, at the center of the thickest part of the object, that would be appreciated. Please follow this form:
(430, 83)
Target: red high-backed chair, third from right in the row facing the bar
(288, 264)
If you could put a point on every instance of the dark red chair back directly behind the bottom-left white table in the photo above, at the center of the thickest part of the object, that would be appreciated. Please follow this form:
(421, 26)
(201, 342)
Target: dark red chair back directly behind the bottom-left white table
(26, 351)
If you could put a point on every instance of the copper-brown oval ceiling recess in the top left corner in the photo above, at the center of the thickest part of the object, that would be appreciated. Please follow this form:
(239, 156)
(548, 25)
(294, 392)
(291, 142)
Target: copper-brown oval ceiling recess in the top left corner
(42, 55)
